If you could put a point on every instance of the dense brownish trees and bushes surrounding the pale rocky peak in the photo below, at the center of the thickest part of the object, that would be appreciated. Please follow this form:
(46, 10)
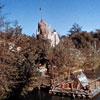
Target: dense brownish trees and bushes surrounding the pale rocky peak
(20, 56)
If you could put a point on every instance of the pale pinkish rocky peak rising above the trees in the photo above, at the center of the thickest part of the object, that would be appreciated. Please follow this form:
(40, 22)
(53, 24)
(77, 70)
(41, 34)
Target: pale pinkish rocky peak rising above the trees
(44, 32)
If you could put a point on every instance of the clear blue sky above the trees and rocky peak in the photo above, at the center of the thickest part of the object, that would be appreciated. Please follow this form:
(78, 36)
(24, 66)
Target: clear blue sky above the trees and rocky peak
(60, 14)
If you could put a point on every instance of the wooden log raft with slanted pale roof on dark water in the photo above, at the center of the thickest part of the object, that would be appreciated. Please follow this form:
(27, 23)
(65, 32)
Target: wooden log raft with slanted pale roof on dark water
(76, 85)
